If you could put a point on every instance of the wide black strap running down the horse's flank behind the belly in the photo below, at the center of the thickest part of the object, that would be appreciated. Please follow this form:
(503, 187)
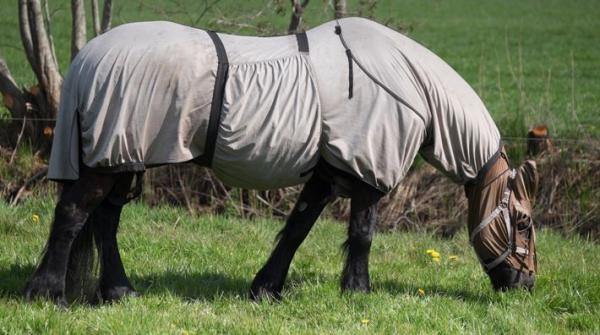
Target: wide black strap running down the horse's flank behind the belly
(217, 102)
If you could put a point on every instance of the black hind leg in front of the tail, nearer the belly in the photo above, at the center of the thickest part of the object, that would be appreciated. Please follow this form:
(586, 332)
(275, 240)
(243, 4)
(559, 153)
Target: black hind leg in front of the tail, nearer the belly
(114, 283)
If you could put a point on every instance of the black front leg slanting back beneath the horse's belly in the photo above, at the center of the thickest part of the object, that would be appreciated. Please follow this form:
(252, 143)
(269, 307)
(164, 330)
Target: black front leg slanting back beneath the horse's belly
(270, 279)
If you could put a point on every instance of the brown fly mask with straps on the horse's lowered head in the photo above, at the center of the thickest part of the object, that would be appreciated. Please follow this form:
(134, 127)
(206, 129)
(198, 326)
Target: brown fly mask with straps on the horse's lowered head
(500, 223)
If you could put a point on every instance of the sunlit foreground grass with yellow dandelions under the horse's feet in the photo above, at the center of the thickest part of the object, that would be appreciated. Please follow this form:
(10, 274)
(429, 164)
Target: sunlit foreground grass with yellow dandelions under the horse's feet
(194, 274)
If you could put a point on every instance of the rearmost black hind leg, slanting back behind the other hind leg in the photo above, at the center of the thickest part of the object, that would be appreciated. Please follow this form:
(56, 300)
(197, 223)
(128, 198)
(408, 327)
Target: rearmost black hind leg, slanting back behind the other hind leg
(76, 202)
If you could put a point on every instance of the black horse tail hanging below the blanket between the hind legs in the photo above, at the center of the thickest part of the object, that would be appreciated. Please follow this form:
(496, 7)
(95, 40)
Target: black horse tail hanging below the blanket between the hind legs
(83, 266)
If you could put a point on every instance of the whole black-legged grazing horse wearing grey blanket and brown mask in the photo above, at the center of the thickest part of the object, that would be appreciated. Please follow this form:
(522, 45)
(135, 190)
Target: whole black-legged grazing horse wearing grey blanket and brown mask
(343, 108)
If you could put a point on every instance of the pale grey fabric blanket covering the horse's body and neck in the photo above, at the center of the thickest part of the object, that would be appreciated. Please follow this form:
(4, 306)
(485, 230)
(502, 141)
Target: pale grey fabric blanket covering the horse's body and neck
(364, 98)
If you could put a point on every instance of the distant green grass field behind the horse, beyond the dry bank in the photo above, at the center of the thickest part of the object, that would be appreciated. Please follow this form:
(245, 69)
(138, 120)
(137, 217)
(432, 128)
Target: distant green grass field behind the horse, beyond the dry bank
(531, 61)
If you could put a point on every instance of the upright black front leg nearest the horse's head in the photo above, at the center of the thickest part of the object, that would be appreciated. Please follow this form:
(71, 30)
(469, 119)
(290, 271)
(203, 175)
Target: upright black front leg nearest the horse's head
(363, 215)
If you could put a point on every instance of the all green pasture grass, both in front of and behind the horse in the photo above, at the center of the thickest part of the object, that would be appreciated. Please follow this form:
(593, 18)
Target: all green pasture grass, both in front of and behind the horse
(531, 61)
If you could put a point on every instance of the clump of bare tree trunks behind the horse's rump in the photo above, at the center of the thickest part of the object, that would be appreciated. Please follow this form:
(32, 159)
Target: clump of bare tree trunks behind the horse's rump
(34, 109)
